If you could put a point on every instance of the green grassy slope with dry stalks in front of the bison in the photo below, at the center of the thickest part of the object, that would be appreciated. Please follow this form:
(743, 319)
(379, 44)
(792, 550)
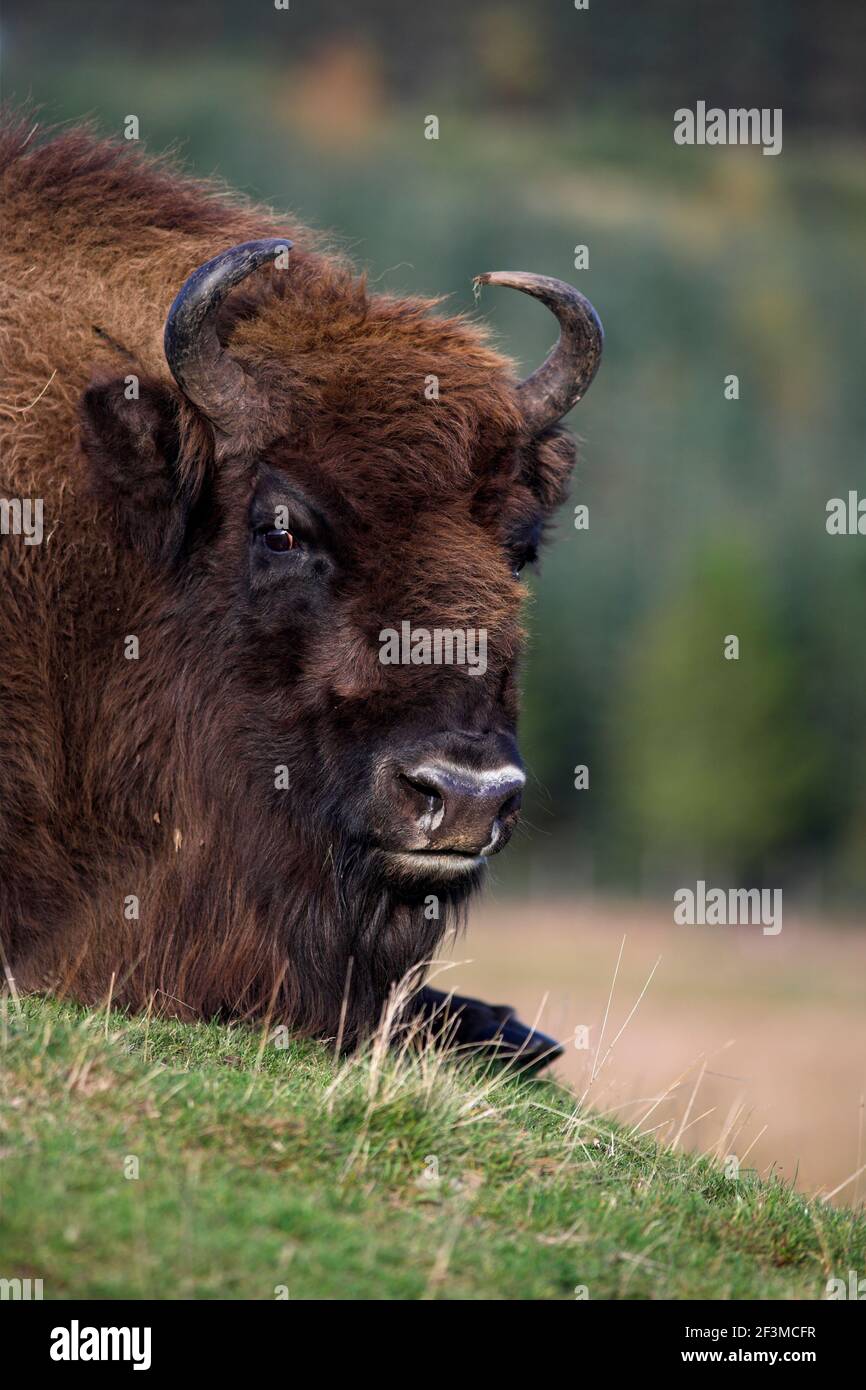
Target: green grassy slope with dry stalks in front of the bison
(265, 1167)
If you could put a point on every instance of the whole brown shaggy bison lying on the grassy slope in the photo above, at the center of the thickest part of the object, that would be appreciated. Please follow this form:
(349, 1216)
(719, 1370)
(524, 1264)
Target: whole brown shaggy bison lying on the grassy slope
(219, 797)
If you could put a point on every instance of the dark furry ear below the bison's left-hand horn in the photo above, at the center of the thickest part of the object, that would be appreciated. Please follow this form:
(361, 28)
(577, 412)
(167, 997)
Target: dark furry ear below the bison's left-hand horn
(131, 436)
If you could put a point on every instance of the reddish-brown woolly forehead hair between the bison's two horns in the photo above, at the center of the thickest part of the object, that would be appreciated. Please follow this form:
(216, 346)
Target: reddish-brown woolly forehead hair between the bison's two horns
(375, 373)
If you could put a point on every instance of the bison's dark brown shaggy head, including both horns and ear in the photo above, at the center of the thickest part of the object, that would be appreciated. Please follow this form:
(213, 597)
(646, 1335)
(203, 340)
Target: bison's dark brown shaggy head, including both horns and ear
(330, 509)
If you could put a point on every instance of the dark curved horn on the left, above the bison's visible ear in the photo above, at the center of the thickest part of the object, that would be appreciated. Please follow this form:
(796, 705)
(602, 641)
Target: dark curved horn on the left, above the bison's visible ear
(205, 372)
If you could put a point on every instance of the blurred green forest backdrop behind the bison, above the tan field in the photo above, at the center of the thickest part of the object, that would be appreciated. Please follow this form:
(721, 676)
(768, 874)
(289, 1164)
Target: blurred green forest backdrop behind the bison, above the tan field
(707, 516)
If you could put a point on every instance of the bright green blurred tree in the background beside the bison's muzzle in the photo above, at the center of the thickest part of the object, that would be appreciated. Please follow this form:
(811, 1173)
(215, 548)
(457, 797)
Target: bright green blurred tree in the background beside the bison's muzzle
(718, 764)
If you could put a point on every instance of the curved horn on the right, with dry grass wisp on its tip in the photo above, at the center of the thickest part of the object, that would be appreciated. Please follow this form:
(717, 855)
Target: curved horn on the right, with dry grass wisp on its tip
(566, 375)
